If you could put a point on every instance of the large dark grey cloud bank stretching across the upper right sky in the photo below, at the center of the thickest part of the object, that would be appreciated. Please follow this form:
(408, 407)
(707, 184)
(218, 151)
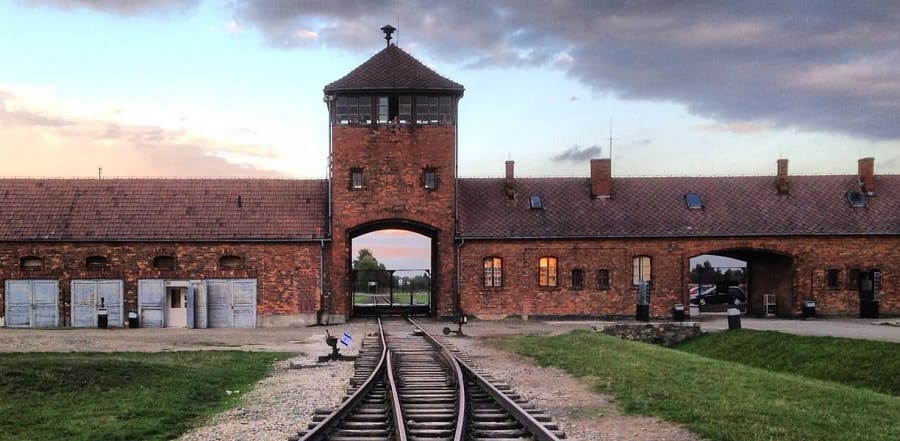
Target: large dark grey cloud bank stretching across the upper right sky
(827, 67)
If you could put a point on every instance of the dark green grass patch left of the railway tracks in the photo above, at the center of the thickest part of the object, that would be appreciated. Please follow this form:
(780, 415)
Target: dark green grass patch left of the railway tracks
(120, 396)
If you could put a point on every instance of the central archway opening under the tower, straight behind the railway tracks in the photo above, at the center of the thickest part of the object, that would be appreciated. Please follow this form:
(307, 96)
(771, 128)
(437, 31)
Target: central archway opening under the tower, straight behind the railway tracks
(392, 268)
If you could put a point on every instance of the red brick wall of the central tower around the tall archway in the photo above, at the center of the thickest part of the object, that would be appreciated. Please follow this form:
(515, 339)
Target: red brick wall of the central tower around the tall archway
(393, 159)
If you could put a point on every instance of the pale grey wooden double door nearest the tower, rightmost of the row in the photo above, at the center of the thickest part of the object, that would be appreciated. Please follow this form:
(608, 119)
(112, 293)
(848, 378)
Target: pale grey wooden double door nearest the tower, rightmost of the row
(231, 303)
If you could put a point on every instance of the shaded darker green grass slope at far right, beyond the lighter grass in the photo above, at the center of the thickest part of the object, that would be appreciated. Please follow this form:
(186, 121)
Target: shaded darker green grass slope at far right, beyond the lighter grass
(860, 363)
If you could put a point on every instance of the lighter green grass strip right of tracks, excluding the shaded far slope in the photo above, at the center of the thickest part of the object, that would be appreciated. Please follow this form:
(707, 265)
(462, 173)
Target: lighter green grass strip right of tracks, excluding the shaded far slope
(716, 399)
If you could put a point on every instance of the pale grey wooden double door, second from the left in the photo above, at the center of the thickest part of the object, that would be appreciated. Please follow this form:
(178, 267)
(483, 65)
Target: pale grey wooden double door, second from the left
(88, 295)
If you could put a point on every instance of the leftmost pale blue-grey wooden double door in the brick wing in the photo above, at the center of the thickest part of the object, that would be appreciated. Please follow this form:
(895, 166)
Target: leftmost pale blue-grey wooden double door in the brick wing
(32, 303)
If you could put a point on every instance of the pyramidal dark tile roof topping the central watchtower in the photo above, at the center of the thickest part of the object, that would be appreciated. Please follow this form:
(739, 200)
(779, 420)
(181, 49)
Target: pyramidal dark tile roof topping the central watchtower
(393, 69)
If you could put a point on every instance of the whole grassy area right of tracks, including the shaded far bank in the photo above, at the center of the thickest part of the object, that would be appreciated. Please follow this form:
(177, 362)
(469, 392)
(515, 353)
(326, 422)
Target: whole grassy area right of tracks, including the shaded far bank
(791, 388)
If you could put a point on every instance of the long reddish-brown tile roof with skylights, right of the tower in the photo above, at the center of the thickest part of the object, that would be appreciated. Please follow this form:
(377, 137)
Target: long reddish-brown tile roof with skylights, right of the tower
(655, 207)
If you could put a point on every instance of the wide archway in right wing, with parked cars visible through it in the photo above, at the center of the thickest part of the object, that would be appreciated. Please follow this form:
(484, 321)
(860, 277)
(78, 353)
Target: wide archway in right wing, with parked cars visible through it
(757, 282)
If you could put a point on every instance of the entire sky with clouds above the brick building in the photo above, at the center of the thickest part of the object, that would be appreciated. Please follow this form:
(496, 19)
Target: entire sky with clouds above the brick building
(216, 88)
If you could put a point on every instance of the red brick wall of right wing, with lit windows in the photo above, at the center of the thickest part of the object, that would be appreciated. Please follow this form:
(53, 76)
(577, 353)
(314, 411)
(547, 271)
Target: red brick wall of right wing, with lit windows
(792, 268)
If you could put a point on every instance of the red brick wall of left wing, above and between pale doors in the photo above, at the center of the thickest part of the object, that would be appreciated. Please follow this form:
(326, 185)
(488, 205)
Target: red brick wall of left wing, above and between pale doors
(287, 274)
